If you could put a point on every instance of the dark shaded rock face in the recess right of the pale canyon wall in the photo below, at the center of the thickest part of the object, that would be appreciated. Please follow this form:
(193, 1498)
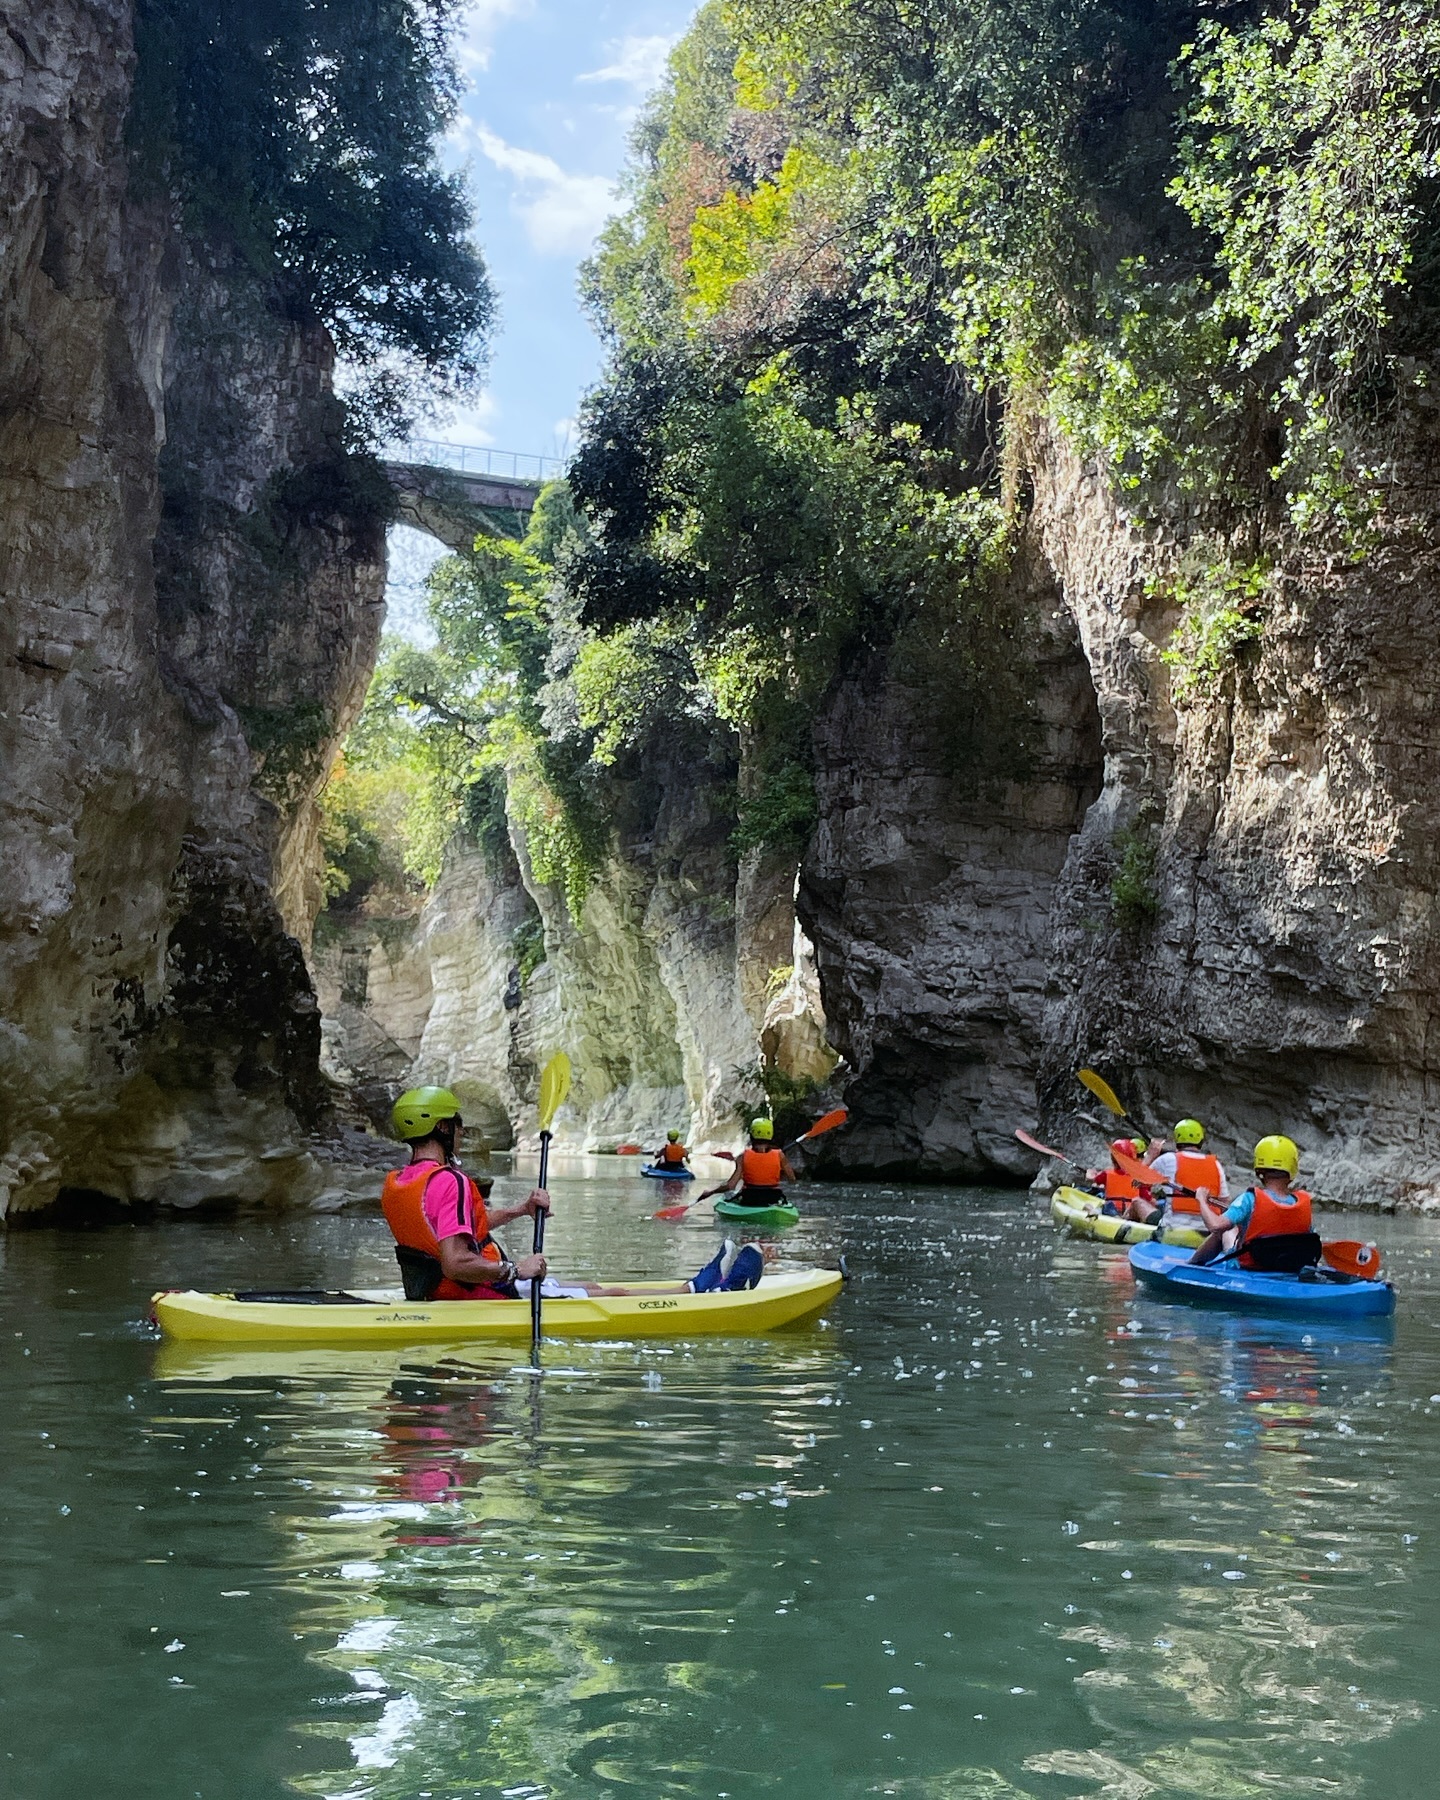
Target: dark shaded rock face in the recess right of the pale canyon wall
(930, 906)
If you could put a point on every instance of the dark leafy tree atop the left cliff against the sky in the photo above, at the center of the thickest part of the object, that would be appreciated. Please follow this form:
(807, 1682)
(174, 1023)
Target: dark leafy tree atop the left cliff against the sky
(305, 134)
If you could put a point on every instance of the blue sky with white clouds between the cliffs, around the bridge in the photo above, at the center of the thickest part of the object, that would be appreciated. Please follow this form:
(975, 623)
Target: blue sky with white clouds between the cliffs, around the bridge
(543, 138)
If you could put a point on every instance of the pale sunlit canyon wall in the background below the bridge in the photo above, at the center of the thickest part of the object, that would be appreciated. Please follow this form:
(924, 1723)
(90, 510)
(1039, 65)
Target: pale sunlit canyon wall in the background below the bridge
(658, 994)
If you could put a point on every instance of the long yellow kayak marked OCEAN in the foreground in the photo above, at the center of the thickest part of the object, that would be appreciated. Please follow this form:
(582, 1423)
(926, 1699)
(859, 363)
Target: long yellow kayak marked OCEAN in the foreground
(384, 1317)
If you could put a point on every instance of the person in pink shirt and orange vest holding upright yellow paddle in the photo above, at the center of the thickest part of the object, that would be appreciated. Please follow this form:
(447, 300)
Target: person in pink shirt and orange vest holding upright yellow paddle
(442, 1223)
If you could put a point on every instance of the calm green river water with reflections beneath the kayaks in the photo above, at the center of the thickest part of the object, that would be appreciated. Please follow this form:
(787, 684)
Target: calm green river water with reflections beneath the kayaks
(998, 1529)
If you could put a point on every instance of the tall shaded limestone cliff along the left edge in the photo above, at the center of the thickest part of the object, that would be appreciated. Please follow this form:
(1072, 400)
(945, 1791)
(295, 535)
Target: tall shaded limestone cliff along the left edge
(168, 699)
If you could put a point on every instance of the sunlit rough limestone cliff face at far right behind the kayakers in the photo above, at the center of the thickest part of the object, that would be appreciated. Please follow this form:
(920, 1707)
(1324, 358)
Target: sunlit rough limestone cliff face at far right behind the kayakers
(1291, 975)
